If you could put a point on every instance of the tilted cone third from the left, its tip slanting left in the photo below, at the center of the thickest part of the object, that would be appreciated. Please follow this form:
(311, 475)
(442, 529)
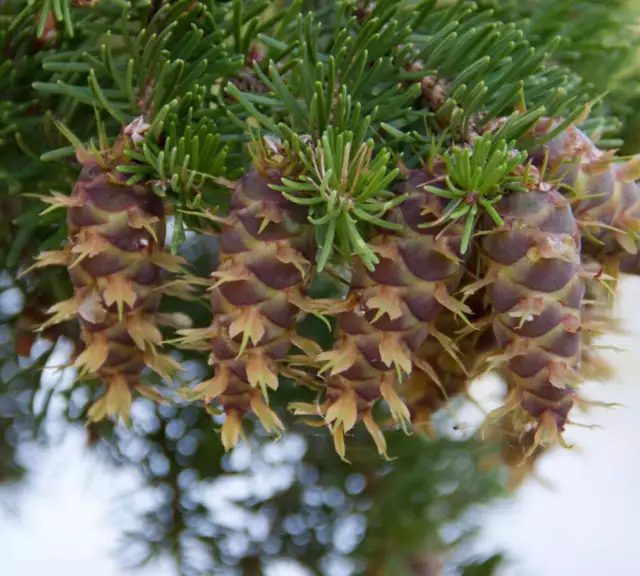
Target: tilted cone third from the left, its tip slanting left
(391, 311)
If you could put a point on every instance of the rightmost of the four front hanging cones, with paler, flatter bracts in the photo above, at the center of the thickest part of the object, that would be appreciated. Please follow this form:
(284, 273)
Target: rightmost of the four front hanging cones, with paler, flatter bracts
(536, 292)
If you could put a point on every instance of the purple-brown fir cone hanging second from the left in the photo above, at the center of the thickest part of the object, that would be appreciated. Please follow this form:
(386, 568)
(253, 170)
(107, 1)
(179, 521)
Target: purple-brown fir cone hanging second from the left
(266, 250)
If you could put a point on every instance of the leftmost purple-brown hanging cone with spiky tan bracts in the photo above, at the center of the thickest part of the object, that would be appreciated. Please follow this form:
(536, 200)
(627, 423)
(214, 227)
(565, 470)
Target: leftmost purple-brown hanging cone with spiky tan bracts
(114, 255)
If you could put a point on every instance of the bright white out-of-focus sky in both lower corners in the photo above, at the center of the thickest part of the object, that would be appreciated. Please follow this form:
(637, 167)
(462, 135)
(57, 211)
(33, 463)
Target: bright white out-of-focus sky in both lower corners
(585, 525)
